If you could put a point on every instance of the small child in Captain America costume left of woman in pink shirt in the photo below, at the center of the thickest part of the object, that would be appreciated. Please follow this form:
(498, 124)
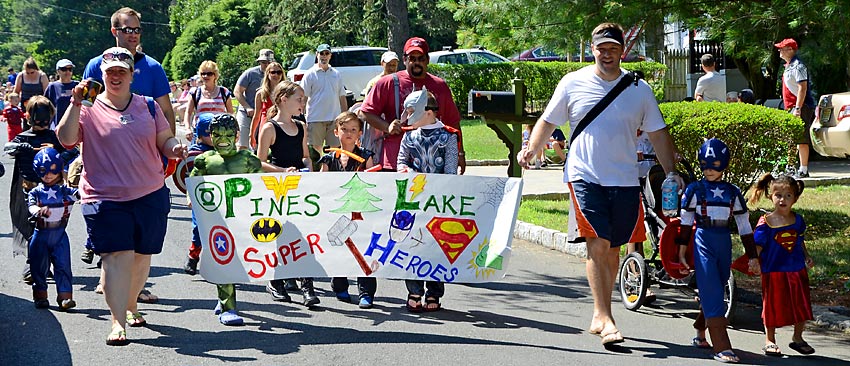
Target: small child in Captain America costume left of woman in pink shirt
(50, 205)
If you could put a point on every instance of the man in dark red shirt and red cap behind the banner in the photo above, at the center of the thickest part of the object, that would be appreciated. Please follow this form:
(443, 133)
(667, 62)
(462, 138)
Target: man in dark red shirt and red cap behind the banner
(382, 105)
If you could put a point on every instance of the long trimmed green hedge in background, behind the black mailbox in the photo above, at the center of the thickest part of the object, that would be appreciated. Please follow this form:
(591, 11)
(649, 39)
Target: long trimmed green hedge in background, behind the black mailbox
(541, 78)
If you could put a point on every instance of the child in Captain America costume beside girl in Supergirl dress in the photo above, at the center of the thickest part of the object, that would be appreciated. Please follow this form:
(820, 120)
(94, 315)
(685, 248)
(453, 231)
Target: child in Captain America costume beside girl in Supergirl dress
(710, 203)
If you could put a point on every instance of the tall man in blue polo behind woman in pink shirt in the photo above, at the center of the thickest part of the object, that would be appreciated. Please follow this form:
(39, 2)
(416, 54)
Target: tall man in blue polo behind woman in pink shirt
(149, 78)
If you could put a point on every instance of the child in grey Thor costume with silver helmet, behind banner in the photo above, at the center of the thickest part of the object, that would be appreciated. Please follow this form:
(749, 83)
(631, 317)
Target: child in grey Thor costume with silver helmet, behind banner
(429, 146)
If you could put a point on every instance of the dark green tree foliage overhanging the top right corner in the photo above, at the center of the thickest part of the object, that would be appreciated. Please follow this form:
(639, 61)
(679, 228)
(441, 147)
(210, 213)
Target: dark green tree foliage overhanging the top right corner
(750, 28)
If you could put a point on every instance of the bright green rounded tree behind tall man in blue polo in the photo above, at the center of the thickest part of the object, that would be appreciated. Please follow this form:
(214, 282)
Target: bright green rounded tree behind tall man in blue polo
(226, 22)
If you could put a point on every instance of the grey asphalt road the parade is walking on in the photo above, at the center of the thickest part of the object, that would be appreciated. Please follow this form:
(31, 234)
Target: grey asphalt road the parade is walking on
(537, 315)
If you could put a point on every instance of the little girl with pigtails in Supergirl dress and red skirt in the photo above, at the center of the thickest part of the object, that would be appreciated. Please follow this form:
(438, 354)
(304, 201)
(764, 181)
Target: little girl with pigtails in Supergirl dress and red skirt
(784, 258)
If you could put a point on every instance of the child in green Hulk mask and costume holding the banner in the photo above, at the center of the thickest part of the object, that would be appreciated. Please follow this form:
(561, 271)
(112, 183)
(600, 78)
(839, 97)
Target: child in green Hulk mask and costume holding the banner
(225, 159)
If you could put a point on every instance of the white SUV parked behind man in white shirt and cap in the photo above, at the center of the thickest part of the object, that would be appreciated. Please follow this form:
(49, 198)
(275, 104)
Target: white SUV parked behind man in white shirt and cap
(356, 64)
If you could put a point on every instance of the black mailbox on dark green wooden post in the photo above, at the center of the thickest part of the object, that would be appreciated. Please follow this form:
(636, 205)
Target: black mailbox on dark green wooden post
(504, 112)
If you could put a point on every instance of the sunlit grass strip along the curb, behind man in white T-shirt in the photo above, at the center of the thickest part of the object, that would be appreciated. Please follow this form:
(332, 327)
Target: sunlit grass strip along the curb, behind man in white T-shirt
(827, 214)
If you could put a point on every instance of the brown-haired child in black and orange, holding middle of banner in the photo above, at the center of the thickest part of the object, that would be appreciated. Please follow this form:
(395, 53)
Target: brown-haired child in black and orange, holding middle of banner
(350, 158)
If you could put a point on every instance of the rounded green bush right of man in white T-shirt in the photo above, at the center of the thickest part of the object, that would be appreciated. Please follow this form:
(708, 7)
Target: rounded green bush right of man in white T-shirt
(760, 139)
